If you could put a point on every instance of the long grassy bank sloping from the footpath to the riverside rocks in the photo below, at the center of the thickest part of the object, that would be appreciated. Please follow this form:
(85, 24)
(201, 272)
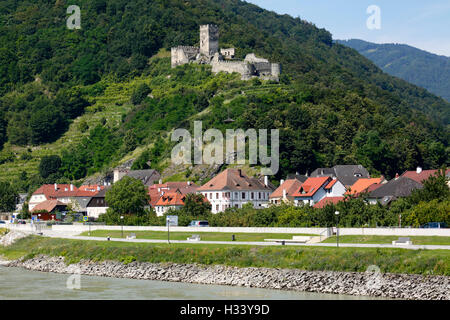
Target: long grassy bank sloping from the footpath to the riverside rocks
(305, 258)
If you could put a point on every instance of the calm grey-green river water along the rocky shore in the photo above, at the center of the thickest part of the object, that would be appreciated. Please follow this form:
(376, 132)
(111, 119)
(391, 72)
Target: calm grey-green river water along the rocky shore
(18, 283)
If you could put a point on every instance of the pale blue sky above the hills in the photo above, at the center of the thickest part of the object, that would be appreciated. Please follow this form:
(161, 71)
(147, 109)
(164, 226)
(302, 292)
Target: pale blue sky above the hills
(424, 24)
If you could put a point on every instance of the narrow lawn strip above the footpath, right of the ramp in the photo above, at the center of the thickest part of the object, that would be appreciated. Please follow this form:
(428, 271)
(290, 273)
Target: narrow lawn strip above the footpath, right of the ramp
(419, 240)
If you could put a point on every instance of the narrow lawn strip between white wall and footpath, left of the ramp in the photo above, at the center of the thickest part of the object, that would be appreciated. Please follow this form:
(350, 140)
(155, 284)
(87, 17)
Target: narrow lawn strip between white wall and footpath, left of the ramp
(206, 236)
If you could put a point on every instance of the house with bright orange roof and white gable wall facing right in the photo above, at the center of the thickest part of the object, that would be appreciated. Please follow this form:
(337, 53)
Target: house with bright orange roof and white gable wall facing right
(316, 188)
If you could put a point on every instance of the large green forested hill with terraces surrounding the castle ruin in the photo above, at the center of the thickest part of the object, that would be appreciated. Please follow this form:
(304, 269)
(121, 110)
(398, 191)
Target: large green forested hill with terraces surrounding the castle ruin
(84, 94)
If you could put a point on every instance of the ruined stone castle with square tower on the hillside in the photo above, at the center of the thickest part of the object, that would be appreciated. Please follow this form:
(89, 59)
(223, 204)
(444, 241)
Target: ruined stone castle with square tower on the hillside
(223, 60)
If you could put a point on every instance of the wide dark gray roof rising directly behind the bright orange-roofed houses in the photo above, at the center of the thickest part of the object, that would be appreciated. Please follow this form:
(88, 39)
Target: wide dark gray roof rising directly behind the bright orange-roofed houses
(347, 174)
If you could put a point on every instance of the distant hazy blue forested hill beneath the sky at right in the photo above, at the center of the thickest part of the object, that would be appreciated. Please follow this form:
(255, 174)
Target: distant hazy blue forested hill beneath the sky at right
(416, 66)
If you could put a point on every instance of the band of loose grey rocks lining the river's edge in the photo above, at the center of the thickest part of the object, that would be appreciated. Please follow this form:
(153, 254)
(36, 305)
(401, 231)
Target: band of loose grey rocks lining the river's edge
(400, 286)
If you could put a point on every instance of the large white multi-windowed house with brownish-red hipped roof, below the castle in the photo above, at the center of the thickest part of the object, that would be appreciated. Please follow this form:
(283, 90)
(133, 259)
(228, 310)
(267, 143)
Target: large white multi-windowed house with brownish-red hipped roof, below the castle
(232, 188)
